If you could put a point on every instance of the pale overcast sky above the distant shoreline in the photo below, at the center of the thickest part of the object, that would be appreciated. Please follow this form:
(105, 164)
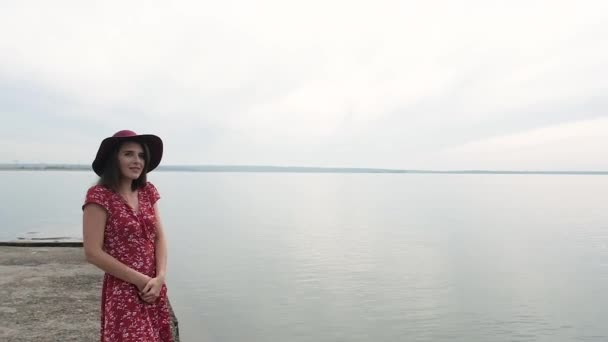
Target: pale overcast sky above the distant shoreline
(509, 85)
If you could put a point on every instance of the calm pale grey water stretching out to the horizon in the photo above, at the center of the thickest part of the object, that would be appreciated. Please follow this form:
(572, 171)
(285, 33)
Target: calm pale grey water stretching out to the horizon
(364, 257)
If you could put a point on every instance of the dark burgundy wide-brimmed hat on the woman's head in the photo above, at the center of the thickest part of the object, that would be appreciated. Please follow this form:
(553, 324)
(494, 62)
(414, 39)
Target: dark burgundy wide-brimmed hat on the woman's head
(154, 143)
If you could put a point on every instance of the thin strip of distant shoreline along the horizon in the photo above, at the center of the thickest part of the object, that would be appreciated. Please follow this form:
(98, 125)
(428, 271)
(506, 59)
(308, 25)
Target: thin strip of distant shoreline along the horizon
(289, 169)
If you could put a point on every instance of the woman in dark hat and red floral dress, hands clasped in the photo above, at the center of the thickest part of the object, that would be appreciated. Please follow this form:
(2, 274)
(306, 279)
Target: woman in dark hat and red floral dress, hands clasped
(123, 236)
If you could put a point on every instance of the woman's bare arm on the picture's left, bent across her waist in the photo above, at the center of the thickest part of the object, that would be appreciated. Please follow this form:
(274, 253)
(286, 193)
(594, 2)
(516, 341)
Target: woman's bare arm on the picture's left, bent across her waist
(93, 225)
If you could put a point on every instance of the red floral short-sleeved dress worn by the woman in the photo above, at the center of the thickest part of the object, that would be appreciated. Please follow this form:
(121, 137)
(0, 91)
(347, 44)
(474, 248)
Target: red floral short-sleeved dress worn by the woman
(129, 236)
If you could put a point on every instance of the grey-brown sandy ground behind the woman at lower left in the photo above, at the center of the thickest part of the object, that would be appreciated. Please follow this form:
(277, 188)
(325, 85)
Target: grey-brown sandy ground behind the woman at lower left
(48, 294)
